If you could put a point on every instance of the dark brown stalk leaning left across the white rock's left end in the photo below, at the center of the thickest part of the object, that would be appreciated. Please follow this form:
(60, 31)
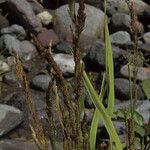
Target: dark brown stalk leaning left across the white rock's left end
(68, 115)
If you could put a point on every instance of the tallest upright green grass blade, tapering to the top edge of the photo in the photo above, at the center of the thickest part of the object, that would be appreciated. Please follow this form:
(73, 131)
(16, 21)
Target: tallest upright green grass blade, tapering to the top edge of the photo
(109, 67)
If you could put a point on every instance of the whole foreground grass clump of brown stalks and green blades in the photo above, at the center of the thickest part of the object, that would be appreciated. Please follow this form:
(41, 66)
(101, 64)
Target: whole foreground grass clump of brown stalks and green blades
(74, 129)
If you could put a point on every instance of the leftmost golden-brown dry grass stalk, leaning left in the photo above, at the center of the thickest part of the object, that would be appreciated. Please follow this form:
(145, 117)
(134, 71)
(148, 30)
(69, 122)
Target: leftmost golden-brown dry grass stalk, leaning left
(36, 125)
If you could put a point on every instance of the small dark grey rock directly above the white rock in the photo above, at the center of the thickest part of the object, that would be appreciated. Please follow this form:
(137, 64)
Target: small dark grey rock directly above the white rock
(63, 47)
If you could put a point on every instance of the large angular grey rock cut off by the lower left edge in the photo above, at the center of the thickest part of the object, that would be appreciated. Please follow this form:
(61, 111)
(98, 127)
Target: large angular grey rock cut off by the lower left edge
(10, 117)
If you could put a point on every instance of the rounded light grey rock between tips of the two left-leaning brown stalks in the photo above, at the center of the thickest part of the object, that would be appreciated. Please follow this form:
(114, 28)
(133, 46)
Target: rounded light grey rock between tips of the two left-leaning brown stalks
(27, 50)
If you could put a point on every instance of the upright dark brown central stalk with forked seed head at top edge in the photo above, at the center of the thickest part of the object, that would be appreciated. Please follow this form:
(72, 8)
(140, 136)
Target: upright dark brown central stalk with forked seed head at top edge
(78, 23)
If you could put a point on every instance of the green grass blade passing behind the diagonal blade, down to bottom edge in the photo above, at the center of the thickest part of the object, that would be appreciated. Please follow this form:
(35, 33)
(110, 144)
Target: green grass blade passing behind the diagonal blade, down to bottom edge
(96, 119)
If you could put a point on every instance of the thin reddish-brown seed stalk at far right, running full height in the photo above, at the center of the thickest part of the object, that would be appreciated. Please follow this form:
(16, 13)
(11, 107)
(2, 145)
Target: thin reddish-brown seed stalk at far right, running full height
(134, 62)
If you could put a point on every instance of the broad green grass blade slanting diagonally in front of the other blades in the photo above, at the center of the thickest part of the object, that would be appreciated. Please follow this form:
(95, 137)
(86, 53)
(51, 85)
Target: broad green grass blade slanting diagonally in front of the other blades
(105, 116)
